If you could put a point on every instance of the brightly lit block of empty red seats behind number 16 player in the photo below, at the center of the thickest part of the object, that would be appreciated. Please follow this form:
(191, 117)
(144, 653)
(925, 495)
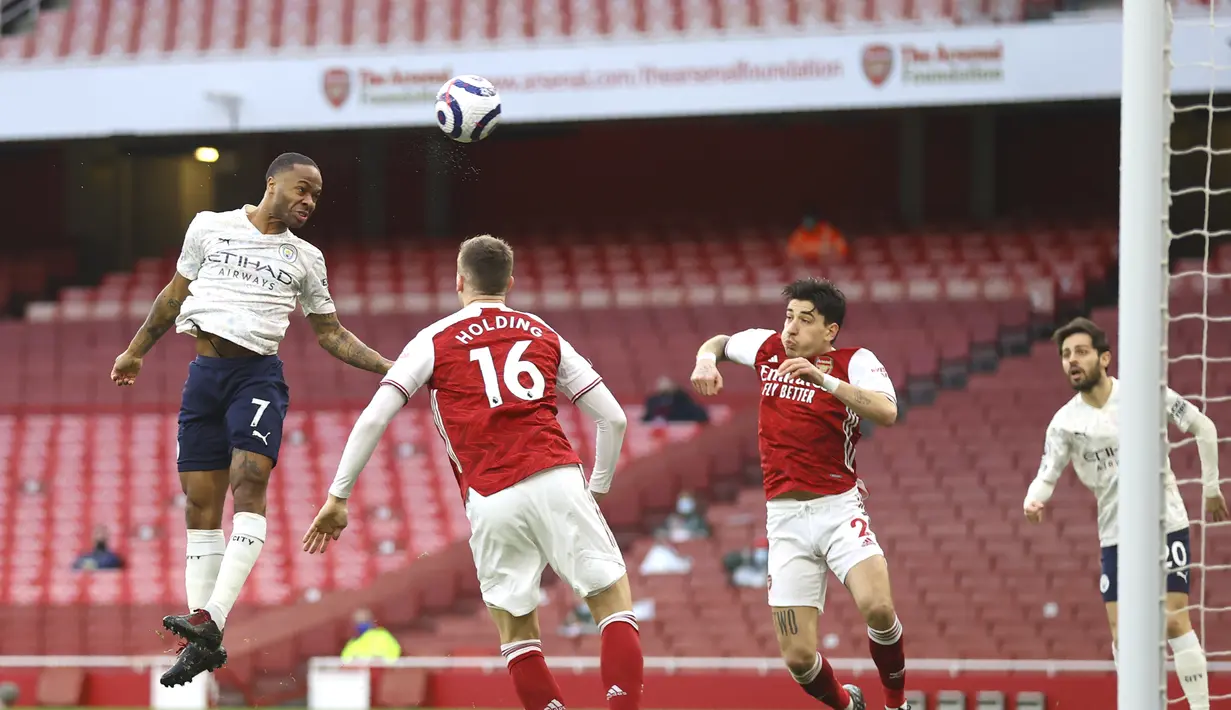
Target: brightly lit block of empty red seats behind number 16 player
(67, 474)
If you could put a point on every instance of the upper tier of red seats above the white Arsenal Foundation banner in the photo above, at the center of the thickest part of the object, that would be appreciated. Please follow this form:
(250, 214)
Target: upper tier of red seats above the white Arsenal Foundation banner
(131, 30)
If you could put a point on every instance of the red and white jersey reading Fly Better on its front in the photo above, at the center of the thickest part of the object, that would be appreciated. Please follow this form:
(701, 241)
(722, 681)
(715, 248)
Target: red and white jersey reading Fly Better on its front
(808, 436)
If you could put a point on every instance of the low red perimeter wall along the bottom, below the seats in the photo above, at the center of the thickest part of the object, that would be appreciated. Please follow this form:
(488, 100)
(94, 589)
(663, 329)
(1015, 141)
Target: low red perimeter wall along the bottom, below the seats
(672, 684)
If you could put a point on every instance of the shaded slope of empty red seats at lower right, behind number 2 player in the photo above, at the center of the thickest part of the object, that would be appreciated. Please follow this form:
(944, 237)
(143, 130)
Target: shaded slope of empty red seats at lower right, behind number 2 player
(979, 581)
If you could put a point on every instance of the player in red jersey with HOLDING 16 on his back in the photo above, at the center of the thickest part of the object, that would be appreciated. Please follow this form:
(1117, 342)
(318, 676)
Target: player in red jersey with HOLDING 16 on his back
(494, 376)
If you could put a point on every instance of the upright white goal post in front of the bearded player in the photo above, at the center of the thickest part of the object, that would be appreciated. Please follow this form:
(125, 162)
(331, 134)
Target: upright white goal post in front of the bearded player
(1145, 122)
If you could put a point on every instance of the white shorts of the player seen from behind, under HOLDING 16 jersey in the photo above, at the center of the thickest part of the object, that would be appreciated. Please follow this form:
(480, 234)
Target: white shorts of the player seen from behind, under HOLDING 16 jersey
(550, 519)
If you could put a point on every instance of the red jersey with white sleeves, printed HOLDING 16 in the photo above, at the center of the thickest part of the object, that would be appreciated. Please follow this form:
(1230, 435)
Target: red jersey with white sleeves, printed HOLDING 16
(494, 375)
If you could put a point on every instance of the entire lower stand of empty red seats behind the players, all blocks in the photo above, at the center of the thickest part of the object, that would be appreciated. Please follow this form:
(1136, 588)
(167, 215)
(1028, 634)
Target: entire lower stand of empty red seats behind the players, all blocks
(930, 302)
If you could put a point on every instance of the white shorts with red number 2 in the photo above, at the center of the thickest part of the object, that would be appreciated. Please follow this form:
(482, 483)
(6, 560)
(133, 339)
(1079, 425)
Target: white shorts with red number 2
(808, 538)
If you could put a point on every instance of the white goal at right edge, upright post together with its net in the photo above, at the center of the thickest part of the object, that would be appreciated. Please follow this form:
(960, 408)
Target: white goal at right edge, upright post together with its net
(1189, 111)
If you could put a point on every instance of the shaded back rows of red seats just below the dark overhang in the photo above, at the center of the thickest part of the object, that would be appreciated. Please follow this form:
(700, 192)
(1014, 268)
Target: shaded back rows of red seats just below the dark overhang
(620, 302)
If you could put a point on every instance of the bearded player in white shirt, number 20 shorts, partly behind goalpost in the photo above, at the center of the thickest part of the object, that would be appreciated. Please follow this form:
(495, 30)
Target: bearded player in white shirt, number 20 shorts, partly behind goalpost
(1086, 434)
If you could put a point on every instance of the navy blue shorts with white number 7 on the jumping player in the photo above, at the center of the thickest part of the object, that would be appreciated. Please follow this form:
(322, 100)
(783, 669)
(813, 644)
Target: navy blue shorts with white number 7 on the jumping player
(232, 404)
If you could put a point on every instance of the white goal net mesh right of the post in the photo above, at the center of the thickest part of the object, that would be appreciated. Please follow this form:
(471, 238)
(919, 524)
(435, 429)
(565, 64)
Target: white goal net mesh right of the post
(1200, 313)
